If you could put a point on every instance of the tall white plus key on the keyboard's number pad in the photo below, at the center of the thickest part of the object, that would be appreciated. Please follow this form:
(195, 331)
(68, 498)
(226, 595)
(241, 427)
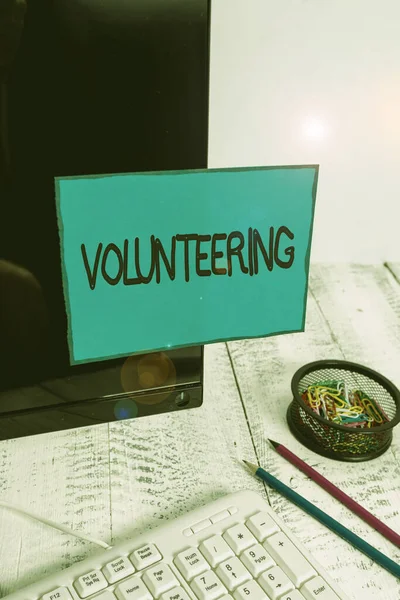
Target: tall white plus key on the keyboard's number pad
(286, 555)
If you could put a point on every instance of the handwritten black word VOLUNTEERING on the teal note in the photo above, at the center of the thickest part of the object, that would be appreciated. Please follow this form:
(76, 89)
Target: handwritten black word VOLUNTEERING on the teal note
(125, 264)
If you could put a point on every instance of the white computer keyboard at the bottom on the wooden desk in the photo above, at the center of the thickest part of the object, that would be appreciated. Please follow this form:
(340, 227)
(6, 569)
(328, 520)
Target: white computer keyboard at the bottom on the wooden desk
(235, 548)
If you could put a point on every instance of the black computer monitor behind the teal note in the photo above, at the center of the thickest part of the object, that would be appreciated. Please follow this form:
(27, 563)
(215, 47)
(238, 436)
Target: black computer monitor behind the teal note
(94, 87)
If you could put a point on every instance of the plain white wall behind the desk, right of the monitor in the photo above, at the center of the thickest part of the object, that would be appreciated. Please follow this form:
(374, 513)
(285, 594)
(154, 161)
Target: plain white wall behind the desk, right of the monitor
(315, 81)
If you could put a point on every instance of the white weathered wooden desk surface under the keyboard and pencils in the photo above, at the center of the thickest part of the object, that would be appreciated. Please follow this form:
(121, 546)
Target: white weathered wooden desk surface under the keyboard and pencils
(113, 481)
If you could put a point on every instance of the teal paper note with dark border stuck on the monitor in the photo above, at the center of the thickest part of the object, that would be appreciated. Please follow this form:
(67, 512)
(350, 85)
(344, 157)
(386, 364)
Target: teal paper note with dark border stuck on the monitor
(153, 261)
